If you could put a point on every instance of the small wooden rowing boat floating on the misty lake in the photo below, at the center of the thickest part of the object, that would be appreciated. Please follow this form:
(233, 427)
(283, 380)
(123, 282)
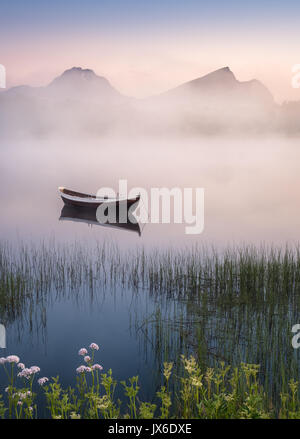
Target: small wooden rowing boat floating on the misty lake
(78, 199)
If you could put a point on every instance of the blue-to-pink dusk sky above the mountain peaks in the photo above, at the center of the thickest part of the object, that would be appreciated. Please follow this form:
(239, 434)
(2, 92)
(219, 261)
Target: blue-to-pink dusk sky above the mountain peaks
(145, 48)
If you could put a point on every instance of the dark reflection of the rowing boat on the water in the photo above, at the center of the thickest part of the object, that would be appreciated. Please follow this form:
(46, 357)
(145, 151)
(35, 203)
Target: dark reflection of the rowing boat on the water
(88, 216)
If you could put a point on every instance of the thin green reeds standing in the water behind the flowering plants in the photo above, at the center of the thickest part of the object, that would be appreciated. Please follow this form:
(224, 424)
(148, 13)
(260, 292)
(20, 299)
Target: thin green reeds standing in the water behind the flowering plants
(236, 306)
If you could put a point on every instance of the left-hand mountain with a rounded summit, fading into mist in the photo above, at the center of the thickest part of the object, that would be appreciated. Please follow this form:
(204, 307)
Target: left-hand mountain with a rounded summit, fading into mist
(76, 101)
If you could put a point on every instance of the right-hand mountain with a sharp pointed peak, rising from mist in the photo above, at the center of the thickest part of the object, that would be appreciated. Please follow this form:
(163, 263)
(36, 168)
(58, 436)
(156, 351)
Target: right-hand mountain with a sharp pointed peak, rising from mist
(217, 102)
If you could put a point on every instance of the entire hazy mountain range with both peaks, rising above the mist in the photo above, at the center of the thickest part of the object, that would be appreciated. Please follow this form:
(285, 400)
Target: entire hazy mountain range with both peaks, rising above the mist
(79, 101)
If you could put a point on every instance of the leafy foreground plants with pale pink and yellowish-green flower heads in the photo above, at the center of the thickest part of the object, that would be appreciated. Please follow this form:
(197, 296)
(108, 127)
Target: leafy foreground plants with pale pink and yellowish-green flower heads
(214, 393)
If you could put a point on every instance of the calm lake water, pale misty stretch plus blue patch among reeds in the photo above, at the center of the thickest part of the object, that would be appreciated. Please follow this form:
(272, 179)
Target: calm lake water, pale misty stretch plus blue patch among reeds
(251, 197)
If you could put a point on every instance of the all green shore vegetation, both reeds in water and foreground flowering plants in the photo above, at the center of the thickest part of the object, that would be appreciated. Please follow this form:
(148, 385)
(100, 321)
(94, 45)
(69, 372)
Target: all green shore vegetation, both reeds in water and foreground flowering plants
(234, 307)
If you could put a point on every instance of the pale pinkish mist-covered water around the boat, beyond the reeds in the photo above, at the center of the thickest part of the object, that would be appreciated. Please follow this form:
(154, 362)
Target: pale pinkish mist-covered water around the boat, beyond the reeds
(251, 187)
